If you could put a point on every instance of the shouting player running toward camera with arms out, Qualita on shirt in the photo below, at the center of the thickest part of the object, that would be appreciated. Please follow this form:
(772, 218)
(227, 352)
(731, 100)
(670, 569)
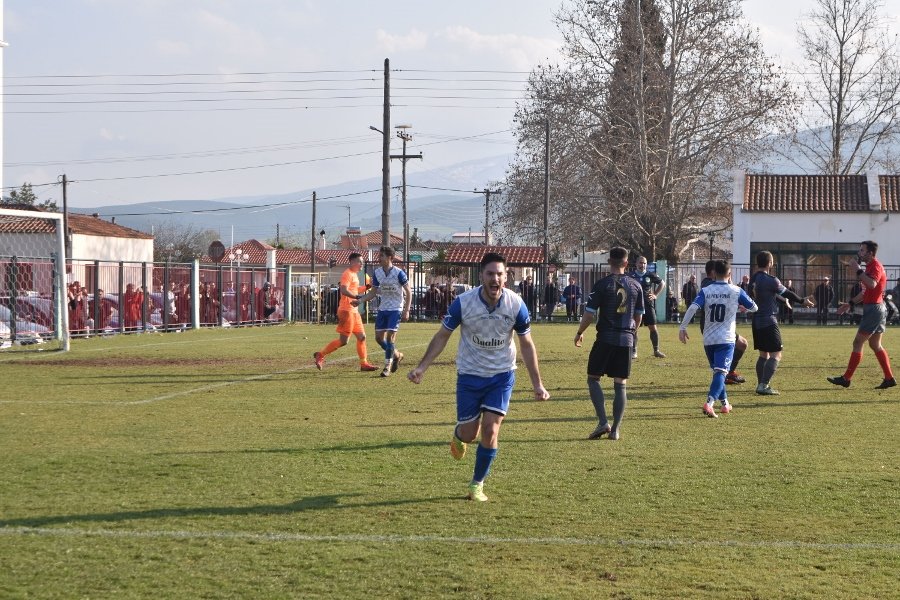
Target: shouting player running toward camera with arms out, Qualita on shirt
(485, 362)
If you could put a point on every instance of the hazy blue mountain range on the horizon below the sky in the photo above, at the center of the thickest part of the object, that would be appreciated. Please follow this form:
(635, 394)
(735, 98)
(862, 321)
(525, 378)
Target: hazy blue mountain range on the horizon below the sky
(440, 202)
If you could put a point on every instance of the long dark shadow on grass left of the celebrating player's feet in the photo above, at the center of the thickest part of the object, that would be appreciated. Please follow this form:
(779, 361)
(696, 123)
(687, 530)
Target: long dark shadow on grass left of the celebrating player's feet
(310, 503)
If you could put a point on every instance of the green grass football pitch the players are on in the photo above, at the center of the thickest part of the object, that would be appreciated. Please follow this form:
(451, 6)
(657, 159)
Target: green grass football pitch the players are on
(222, 464)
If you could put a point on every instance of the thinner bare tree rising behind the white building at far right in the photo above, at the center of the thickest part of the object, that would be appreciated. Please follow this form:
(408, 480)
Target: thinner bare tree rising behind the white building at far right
(851, 87)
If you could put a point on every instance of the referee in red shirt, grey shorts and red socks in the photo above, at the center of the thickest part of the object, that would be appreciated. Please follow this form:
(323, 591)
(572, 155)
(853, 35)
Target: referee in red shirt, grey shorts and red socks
(873, 279)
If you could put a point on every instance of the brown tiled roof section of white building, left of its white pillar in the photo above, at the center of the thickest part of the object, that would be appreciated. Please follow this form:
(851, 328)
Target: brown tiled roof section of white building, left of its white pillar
(806, 193)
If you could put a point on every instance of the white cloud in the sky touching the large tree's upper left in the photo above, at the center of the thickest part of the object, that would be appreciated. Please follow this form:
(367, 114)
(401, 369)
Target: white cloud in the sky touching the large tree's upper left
(516, 51)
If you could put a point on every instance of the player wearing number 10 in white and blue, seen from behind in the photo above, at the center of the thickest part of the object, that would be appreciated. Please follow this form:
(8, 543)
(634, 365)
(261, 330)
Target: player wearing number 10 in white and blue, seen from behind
(721, 301)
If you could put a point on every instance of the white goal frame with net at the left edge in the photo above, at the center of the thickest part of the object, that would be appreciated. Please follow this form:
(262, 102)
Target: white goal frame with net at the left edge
(33, 301)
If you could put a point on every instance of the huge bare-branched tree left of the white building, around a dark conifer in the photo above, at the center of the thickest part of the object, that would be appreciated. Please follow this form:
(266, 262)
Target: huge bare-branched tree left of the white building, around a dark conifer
(658, 101)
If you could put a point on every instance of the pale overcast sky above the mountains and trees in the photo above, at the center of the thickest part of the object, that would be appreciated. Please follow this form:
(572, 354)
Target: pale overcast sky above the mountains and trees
(271, 96)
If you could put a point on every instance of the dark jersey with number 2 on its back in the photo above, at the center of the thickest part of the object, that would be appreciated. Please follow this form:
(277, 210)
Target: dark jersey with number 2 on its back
(615, 301)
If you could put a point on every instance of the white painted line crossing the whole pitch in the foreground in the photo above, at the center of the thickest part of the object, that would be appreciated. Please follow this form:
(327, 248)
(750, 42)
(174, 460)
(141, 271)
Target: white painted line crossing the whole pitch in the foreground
(436, 539)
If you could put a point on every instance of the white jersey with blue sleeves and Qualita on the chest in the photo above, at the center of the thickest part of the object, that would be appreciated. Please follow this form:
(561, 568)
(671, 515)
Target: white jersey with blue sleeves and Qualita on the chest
(485, 346)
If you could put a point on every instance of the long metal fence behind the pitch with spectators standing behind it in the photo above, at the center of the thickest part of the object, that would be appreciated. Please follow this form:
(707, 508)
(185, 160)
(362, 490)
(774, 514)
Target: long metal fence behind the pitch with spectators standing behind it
(121, 297)
